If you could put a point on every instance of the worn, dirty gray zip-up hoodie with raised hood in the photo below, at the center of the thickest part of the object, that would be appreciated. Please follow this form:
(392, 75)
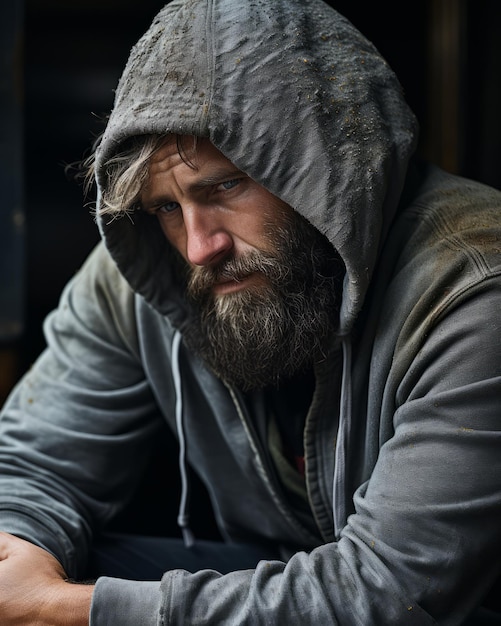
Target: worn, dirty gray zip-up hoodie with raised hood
(402, 440)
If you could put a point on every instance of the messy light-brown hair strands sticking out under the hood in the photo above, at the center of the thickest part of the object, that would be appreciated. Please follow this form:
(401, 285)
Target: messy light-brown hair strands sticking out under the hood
(127, 171)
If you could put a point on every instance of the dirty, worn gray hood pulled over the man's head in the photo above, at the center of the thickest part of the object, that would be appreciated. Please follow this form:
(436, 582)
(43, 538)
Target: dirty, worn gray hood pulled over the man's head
(295, 97)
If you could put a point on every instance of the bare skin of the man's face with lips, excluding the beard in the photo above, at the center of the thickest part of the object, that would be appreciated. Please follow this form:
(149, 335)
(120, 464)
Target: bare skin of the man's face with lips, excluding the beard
(209, 210)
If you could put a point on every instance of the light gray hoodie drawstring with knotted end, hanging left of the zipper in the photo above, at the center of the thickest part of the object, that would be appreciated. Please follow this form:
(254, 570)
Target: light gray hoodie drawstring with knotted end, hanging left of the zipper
(183, 517)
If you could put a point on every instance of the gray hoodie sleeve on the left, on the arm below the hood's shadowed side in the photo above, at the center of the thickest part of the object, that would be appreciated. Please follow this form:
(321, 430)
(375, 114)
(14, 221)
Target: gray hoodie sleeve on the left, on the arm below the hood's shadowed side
(82, 408)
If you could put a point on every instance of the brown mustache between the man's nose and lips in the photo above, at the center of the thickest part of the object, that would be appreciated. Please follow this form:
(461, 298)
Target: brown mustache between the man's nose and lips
(202, 279)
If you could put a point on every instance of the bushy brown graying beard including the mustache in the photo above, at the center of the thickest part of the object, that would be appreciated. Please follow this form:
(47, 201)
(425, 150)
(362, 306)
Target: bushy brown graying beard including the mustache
(277, 326)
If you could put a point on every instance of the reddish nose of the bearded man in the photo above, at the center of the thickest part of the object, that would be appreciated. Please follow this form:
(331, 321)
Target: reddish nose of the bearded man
(207, 238)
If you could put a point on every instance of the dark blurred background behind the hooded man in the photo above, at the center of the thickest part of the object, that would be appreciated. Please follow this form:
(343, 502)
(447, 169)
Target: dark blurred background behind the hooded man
(61, 61)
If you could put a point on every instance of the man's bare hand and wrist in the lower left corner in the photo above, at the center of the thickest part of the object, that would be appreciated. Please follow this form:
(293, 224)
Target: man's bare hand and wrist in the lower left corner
(34, 590)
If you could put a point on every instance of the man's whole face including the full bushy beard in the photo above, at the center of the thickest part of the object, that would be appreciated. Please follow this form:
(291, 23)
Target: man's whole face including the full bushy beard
(264, 284)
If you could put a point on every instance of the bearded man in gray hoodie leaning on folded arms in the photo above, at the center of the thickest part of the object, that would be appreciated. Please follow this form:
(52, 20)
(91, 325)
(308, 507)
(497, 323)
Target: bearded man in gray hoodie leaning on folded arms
(313, 313)
